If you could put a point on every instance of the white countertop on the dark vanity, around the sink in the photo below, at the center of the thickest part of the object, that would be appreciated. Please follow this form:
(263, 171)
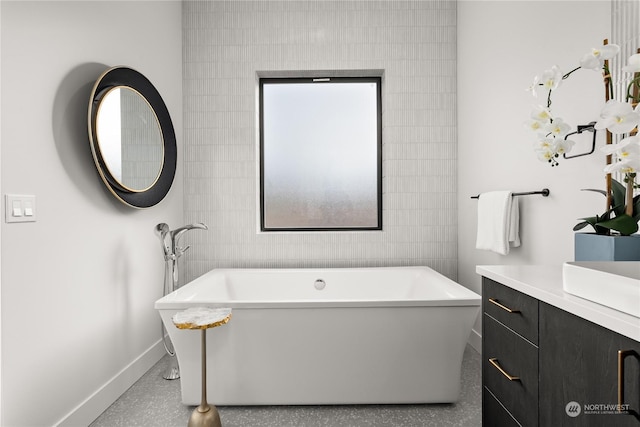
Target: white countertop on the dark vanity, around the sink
(545, 284)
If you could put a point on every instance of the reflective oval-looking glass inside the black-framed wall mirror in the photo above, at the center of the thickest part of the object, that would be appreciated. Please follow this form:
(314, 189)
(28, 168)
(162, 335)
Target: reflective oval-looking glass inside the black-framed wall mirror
(130, 138)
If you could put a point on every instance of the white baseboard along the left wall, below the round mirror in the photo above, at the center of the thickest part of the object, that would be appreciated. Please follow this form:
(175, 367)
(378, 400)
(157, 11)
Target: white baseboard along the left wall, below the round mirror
(98, 402)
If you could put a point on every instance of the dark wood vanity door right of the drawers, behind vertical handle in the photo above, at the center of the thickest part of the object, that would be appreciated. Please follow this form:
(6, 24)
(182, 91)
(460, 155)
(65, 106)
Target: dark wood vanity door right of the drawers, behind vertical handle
(579, 363)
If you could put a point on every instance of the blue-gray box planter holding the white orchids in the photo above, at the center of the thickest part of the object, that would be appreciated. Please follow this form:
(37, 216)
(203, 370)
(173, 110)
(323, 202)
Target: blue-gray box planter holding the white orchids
(595, 247)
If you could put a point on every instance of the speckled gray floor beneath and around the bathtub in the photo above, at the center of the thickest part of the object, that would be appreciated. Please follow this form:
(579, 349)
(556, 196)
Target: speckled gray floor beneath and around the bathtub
(153, 401)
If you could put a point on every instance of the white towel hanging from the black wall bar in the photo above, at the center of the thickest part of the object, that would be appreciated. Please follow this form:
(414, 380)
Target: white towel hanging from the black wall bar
(498, 222)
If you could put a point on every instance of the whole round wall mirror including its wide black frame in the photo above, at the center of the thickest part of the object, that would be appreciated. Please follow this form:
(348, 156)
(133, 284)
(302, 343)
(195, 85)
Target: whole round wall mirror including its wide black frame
(132, 137)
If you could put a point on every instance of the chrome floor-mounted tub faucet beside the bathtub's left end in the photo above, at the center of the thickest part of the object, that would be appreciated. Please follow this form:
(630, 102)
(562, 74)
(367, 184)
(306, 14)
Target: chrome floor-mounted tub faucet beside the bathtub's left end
(170, 240)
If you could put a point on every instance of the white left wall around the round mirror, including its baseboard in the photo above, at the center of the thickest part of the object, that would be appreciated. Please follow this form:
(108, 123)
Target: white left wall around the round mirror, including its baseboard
(78, 286)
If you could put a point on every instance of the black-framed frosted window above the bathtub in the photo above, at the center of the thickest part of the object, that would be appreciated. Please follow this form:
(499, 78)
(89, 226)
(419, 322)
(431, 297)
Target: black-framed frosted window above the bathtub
(320, 154)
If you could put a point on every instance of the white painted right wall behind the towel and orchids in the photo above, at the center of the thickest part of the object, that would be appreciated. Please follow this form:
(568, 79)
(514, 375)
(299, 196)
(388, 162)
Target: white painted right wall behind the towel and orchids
(501, 46)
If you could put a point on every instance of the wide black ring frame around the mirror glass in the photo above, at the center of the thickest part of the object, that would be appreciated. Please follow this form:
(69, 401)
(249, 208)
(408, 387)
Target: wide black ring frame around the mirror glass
(125, 76)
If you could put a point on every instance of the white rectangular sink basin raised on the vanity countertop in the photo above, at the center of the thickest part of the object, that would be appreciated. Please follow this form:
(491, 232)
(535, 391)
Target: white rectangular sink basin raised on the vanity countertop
(615, 284)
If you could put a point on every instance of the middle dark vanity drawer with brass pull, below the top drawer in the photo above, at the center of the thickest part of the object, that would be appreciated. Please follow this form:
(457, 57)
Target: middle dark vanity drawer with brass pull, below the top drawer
(507, 354)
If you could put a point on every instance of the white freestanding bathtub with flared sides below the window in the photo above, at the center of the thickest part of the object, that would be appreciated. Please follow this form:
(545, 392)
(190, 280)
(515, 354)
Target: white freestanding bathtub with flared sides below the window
(325, 336)
